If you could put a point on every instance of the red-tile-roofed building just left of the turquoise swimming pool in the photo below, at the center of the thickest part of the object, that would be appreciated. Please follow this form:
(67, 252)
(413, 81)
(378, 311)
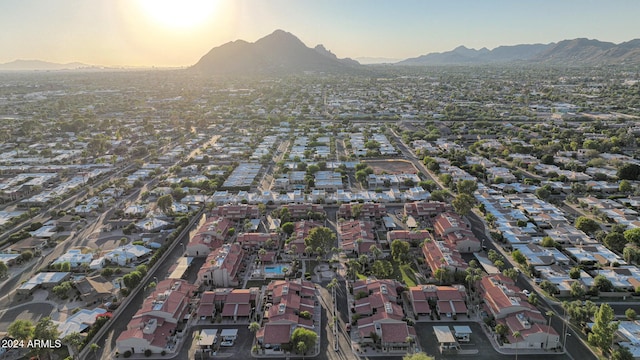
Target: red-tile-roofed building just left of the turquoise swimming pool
(222, 266)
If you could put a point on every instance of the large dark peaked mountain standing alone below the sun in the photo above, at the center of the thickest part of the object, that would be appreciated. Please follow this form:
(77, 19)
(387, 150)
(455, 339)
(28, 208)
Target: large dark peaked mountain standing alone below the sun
(278, 53)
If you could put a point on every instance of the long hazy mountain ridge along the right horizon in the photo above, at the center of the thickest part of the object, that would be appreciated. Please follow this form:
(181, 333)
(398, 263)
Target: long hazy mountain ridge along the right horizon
(568, 52)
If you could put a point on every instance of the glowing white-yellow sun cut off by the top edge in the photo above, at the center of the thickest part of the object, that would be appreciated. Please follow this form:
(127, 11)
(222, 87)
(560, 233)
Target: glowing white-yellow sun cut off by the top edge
(178, 14)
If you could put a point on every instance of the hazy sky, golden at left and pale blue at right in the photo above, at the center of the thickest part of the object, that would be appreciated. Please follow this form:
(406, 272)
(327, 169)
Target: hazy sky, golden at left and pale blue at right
(170, 33)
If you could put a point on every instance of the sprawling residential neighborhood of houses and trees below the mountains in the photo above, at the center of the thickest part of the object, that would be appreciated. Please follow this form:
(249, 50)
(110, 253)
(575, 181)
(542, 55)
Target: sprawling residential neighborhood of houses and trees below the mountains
(363, 218)
